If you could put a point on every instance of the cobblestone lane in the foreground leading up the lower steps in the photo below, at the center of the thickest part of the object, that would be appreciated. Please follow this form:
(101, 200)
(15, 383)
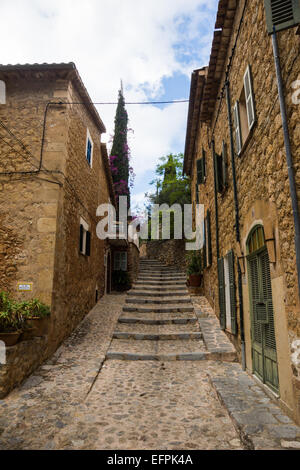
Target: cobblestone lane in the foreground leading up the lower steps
(90, 396)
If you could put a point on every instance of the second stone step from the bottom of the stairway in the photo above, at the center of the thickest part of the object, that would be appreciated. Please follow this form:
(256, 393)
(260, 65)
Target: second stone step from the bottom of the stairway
(157, 329)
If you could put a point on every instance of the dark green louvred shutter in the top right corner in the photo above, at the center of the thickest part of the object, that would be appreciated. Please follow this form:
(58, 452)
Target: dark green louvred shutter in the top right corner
(282, 14)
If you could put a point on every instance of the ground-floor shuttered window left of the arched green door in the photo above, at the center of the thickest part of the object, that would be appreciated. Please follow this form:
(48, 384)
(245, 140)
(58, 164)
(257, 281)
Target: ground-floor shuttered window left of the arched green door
(227, 293)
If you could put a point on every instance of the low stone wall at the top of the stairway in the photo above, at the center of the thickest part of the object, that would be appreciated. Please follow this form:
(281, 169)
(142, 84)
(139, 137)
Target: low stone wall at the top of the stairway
(169, 252)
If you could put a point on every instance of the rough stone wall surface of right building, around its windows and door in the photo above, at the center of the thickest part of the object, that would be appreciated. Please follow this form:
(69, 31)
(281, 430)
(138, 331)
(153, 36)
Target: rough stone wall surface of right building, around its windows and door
(262, 181)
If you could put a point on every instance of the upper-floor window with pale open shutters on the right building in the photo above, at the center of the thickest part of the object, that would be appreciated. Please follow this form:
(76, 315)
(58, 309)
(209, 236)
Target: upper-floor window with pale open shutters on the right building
(244, 112)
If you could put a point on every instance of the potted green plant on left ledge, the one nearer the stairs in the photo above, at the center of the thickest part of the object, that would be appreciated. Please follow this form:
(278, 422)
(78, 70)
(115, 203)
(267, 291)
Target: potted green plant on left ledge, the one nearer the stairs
(36, 315)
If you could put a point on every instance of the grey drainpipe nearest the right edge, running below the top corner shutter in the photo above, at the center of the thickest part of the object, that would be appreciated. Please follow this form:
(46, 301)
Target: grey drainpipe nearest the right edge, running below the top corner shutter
(289, 158)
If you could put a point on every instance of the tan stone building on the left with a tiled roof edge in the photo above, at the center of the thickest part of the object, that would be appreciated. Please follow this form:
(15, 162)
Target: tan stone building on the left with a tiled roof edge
(54, 173)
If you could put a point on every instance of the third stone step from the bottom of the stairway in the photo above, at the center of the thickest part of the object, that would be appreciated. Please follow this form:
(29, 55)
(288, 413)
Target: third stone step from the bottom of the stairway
(184, 320)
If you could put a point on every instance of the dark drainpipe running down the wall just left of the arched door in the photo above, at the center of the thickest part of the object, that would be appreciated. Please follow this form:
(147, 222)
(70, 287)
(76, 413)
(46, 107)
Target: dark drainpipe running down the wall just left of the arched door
(237, 224)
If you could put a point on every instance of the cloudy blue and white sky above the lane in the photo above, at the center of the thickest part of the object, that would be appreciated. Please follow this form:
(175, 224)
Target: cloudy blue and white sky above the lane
(153, 46)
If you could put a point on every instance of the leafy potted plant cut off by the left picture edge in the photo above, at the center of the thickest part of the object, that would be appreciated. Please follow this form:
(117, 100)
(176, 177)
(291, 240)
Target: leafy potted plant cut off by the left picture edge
(11, 321)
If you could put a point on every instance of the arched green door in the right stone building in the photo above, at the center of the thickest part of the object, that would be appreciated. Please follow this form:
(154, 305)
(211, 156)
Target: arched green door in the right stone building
(262, 315)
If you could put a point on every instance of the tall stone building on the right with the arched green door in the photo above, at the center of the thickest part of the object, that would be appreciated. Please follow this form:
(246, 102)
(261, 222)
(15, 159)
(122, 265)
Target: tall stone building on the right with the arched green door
(236, 157)
